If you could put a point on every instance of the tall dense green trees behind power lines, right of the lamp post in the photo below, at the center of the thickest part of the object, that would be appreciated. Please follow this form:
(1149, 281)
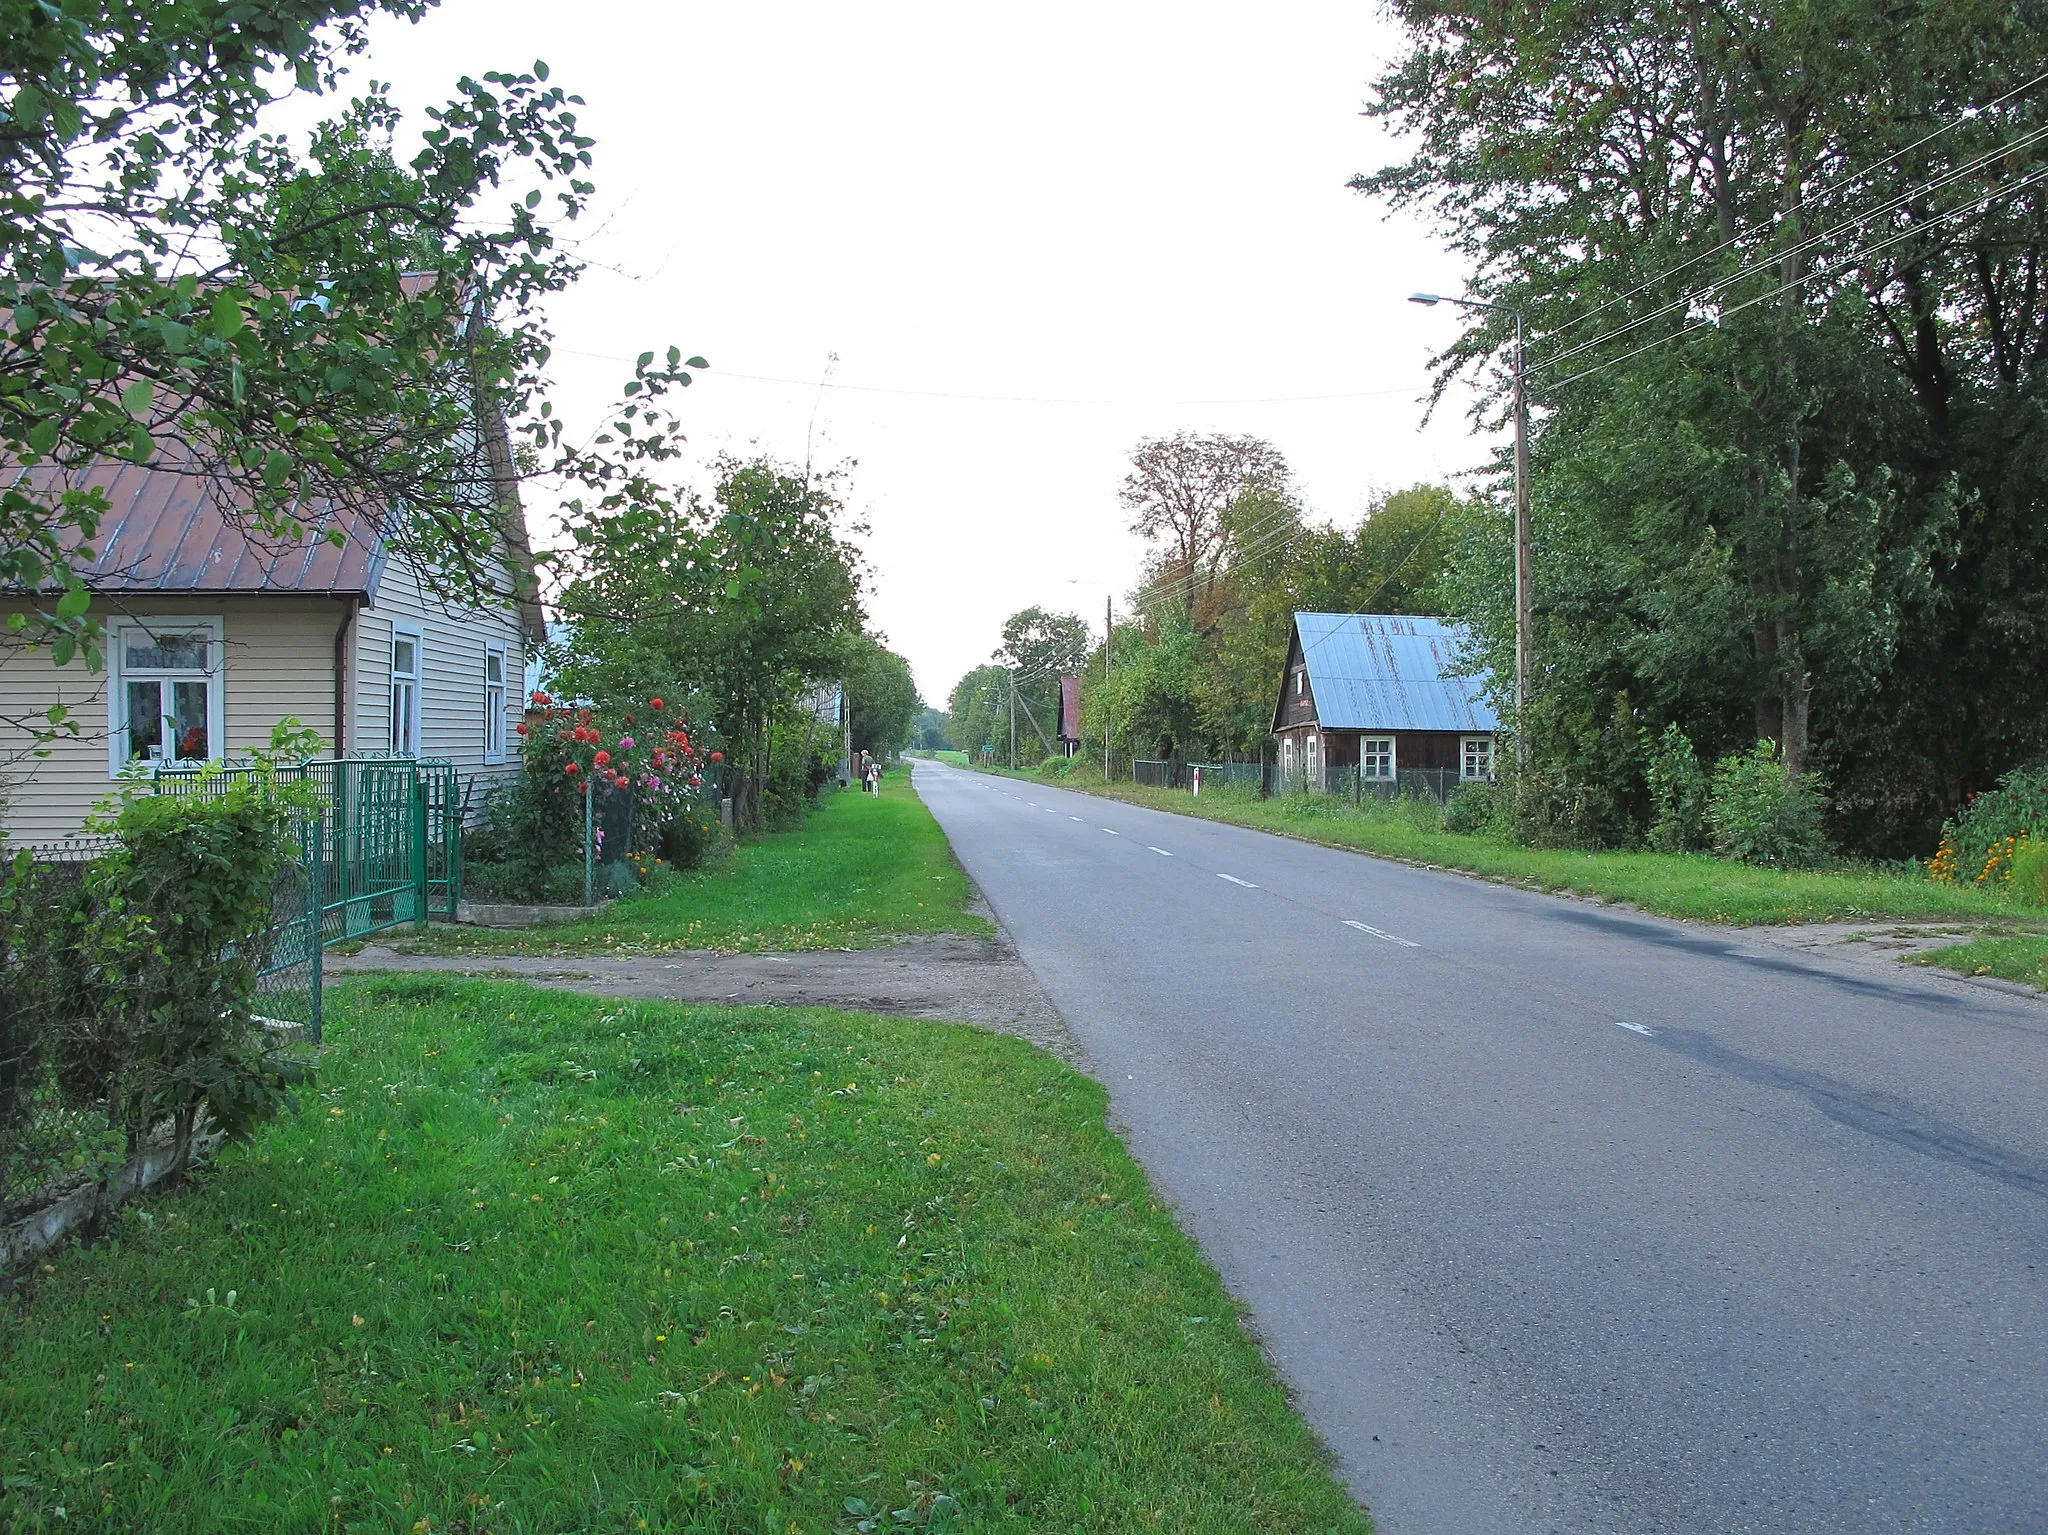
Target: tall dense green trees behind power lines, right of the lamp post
(1783, 269)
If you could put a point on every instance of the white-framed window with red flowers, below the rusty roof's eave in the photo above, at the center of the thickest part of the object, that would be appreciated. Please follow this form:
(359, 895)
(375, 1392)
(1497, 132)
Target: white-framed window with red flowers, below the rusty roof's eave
(167, 701)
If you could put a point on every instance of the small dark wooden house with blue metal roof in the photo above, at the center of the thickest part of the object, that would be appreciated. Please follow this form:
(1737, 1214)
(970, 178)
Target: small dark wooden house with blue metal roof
(1388, 695)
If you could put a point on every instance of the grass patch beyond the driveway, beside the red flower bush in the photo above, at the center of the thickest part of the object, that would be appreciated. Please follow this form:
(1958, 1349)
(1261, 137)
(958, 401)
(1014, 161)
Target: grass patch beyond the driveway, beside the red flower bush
(857, 871)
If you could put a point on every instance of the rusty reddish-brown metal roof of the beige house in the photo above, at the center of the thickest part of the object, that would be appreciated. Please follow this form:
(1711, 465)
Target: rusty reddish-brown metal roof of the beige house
(175, 529)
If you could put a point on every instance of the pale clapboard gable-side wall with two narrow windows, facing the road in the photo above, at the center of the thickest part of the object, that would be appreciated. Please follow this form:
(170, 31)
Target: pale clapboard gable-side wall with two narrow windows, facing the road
(452, 691)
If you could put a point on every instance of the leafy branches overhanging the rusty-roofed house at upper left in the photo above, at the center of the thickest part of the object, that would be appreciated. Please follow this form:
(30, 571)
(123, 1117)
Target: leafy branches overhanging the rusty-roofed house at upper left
(316, 326)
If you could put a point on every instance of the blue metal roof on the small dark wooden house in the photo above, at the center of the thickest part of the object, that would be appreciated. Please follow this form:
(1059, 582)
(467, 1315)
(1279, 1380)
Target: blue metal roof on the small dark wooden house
(1390, 672)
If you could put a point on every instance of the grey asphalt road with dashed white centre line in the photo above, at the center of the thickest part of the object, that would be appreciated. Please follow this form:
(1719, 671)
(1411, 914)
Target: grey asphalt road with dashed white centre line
(1562, 1219)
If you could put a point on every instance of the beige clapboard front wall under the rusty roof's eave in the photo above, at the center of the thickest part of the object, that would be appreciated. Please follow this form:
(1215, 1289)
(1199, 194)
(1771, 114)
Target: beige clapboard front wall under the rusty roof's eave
(278, 662)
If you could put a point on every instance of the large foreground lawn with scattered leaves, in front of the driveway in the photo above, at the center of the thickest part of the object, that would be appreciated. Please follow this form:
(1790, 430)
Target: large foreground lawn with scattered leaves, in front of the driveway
(529, 1262)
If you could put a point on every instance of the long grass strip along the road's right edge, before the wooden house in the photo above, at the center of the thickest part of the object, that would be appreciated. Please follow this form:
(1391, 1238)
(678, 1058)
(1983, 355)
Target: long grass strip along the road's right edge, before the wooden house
(1672, 885)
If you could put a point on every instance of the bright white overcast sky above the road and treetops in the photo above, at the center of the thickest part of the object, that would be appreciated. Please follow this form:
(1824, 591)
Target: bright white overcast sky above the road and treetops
(1031, 236)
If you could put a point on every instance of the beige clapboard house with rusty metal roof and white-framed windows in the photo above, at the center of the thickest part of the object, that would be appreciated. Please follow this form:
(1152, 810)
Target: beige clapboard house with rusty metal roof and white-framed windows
(212, 638)
